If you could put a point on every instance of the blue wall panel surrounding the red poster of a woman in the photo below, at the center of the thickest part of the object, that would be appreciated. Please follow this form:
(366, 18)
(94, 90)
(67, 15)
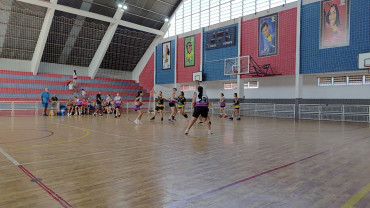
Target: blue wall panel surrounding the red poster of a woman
(316, 60)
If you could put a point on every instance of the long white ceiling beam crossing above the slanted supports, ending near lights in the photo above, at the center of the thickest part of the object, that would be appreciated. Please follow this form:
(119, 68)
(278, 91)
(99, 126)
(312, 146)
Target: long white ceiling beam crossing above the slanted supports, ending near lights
(93, 16)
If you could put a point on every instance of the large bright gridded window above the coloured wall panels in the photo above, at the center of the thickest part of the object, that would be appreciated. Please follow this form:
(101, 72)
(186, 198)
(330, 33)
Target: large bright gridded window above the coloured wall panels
(194, 14)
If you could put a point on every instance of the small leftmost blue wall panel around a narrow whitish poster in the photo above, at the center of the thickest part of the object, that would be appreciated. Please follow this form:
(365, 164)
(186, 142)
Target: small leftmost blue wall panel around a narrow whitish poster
(166, 76)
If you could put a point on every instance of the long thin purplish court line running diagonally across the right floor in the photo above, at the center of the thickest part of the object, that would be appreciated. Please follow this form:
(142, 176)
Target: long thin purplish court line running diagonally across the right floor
(182, 202)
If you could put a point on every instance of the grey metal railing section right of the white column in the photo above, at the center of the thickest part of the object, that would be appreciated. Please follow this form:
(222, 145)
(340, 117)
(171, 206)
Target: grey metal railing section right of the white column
(355, 113)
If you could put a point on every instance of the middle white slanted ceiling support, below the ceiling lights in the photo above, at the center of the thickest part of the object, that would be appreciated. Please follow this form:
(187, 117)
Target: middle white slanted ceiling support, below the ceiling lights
(104, 44)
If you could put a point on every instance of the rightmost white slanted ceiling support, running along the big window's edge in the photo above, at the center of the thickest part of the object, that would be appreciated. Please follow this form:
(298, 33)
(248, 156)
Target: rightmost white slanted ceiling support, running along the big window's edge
(148, 53)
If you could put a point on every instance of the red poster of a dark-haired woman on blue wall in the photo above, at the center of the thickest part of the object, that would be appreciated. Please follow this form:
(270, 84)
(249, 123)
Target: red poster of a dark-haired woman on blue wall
(334, 23)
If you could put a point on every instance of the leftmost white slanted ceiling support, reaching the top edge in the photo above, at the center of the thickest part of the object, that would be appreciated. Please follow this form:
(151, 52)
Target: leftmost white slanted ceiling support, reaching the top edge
(44, 32)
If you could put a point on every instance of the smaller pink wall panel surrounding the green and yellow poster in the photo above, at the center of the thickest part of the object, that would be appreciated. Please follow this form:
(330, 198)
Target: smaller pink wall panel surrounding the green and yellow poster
(185, 74)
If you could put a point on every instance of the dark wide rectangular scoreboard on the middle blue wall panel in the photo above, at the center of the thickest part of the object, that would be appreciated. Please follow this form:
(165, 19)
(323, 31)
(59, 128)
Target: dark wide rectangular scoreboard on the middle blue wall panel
(220, 38)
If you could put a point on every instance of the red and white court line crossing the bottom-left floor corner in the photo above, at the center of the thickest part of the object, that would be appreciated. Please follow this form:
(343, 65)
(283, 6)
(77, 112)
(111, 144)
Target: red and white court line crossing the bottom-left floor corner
(59, 199)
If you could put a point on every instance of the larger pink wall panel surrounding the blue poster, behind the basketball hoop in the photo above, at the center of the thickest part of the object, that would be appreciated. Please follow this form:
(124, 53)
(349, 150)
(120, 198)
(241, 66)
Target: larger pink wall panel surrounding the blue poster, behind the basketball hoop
(284, 62)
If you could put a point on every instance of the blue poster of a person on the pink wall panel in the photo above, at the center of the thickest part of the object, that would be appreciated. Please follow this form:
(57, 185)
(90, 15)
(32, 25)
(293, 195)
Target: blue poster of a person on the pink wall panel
(268, 33)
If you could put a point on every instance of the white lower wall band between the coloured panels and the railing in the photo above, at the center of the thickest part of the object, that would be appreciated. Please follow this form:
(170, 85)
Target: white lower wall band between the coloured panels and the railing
(281, 88)
